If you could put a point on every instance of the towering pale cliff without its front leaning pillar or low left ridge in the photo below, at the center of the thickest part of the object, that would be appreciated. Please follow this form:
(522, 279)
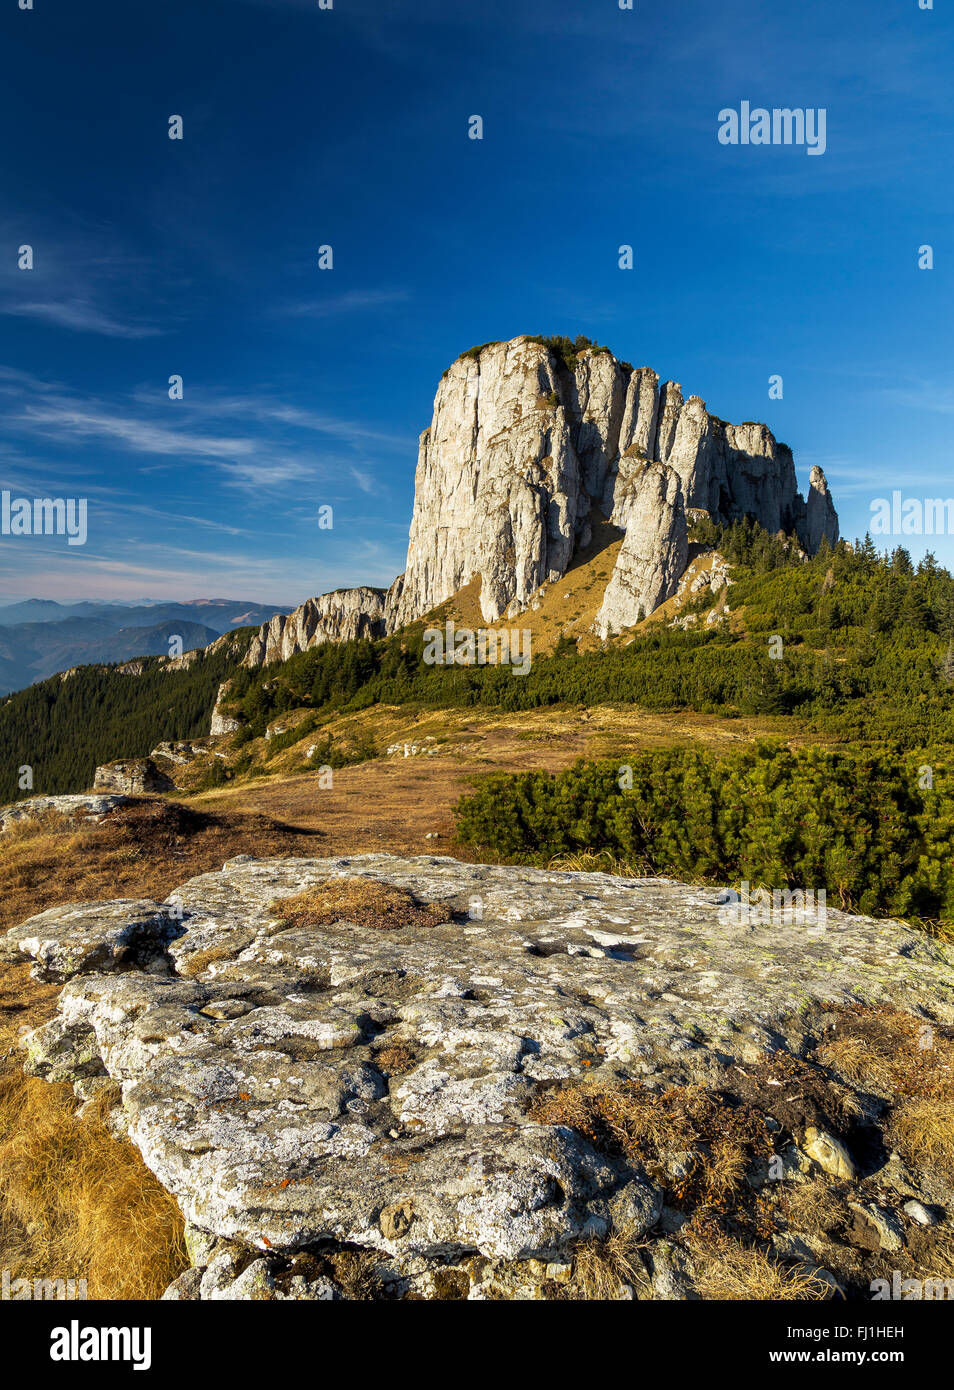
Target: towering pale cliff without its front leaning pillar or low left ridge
(521, 450)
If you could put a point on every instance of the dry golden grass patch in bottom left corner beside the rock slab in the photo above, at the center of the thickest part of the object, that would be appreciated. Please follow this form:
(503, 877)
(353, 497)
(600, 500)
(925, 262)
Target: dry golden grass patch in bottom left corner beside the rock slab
(76, 1203)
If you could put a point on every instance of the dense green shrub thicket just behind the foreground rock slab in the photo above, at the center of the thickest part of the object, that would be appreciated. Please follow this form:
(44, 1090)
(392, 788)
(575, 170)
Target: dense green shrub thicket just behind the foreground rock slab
(857, 825)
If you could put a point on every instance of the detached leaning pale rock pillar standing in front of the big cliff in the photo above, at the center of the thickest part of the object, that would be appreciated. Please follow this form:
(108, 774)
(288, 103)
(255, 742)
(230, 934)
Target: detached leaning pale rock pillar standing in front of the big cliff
(654, 553)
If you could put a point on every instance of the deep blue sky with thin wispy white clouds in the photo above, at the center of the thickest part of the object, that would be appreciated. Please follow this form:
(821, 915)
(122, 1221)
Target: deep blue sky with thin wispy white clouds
(350, 127)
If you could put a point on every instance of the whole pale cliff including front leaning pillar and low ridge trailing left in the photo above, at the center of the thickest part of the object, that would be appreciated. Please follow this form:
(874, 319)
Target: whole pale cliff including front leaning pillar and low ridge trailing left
(526, 447)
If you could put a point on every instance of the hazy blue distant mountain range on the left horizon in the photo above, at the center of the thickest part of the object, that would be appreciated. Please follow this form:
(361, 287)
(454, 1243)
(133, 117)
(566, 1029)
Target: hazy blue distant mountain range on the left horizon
(40, 637)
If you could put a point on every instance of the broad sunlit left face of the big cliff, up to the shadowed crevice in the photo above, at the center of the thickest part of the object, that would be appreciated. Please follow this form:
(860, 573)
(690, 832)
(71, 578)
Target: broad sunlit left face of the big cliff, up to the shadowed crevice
(499, 490)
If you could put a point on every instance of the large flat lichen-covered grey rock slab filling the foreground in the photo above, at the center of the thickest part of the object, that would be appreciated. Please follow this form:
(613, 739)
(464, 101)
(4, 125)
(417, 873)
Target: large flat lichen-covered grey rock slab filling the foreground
(297, 1086)
